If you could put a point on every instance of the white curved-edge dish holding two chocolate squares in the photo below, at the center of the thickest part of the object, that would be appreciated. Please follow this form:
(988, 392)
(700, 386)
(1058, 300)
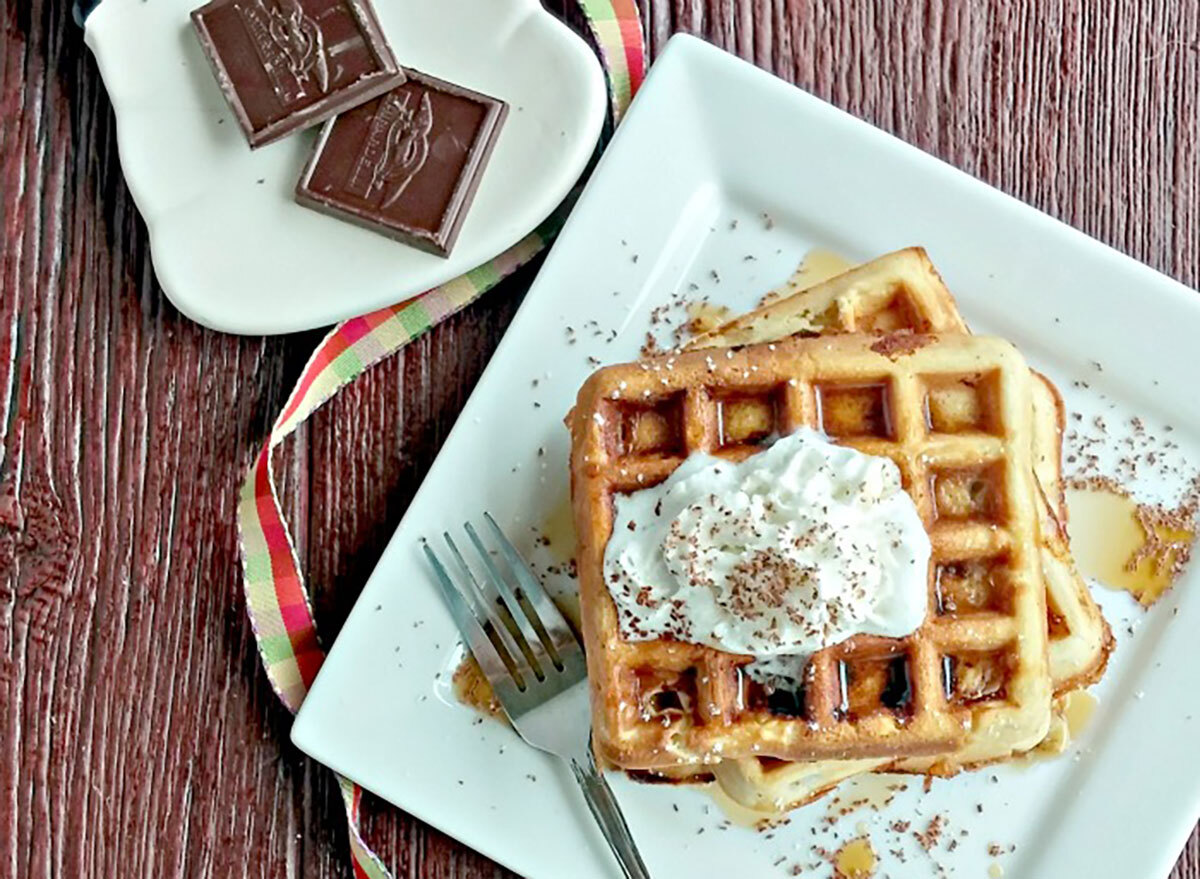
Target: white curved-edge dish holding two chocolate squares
(231, 247)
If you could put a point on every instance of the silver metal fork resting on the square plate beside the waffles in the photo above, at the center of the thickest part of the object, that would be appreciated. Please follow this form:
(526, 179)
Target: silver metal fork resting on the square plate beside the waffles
(536, 666)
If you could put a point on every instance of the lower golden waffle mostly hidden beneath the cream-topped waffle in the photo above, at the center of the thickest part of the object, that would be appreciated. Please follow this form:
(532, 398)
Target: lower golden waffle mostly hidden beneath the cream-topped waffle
(903, 291)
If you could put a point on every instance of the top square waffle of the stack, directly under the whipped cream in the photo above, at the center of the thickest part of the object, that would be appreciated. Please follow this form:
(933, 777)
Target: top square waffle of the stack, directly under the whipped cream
(983, 669)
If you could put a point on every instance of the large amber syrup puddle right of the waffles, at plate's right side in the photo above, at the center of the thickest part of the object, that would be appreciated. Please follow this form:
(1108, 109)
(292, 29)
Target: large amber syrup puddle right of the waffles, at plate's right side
(1126, 546)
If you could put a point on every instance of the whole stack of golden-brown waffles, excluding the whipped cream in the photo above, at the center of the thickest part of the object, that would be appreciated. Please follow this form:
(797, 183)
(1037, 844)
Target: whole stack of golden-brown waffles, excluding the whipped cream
(880, 361)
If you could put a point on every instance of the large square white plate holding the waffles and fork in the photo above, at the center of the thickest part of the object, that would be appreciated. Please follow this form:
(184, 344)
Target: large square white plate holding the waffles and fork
(711, 146)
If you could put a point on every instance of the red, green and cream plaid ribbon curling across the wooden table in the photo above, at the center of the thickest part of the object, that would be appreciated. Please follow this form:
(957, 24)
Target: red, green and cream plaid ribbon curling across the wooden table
(277, 599)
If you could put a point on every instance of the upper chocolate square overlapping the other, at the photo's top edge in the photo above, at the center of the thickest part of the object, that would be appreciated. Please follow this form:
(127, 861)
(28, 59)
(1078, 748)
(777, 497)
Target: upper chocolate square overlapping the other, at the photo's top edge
(285, 65)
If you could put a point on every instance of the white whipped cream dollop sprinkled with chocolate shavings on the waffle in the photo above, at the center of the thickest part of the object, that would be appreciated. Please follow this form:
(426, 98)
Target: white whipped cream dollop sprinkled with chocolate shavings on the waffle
(793, 551)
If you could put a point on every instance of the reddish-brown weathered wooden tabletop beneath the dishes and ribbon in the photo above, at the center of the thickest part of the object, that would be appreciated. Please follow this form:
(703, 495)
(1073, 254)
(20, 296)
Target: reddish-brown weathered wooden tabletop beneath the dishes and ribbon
(139, 736)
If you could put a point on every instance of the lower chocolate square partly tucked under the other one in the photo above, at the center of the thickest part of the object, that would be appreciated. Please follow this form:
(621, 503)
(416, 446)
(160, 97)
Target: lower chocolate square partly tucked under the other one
(407, 164)
